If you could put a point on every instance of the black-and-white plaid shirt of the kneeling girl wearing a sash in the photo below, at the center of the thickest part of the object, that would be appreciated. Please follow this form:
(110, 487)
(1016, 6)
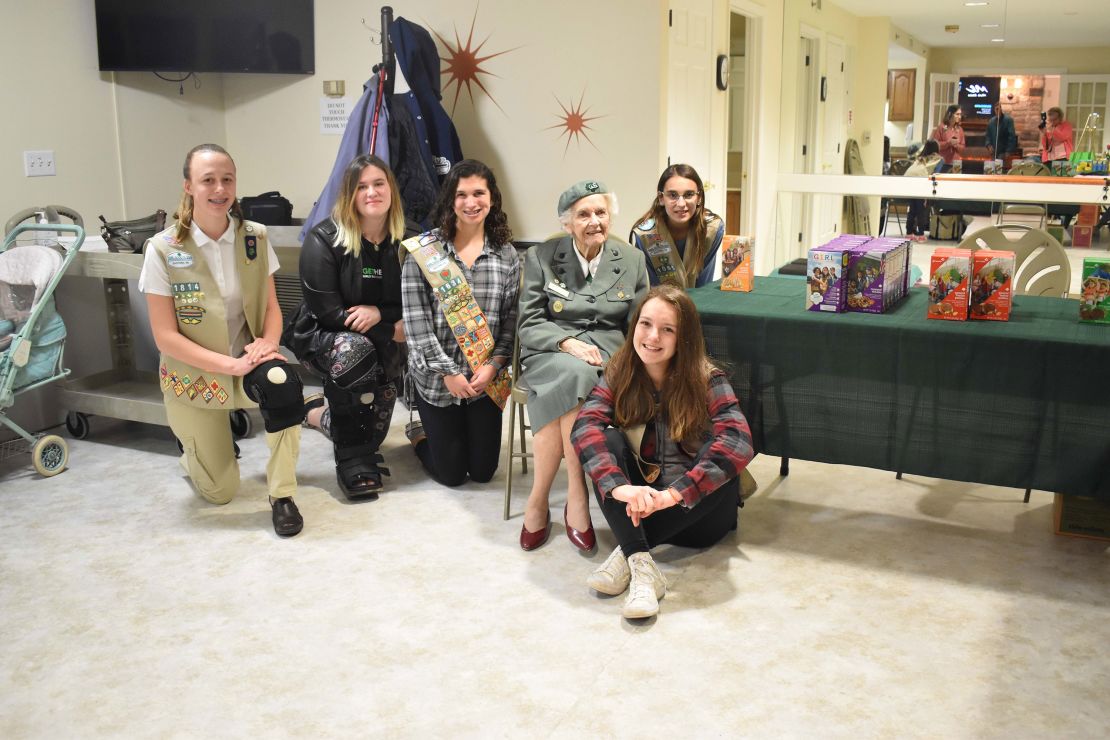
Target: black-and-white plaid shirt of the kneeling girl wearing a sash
(433, 351)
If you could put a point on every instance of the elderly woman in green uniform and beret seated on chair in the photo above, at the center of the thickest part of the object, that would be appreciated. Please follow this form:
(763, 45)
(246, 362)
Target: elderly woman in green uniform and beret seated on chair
(579, 295)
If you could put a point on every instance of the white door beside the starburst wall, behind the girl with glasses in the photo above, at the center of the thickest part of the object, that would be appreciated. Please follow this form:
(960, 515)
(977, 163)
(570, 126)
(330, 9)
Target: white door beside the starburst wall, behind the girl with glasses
(690, 92)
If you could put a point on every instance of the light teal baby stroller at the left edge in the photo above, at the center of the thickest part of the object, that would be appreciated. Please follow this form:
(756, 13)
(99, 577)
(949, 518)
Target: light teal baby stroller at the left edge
(33, 334)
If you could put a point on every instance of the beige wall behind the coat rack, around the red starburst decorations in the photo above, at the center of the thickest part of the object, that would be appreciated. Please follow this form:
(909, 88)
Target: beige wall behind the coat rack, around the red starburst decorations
(552, 56)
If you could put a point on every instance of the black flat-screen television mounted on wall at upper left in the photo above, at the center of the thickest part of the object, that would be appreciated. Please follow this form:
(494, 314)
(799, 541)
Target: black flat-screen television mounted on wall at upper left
(207, 36)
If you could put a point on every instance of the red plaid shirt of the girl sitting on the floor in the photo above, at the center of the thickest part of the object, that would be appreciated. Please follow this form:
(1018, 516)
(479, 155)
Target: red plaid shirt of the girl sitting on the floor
(721, 461)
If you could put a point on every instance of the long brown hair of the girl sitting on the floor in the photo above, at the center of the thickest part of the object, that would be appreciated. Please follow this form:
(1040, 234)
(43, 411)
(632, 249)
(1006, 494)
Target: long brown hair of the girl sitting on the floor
(684, 394)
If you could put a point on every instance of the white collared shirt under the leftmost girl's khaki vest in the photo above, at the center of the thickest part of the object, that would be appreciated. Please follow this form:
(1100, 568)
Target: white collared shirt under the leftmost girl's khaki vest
(220, 257)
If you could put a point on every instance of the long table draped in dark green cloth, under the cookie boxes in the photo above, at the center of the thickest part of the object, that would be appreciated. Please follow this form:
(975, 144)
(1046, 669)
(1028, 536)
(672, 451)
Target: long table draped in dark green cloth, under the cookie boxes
(1023, 403)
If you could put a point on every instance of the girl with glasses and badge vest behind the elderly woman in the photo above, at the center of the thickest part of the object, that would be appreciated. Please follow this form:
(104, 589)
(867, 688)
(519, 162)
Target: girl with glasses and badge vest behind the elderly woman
(679, 236)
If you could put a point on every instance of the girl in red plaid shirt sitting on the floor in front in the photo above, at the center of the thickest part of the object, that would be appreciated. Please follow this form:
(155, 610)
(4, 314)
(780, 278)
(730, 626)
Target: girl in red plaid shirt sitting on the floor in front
(664, 441)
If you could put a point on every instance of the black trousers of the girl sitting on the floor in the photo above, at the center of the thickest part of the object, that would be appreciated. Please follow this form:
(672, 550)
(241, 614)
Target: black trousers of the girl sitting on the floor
(702, 526)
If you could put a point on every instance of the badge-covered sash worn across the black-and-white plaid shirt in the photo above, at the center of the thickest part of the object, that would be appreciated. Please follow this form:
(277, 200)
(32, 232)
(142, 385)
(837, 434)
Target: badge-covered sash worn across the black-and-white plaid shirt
(463, 315)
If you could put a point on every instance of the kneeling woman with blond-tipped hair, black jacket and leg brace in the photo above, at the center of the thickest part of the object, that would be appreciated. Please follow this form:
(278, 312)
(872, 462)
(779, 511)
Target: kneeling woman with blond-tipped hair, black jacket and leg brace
(351, 280)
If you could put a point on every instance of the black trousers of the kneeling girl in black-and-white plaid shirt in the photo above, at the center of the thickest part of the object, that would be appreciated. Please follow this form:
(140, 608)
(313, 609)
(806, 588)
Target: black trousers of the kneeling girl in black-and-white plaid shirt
(462, 440)
